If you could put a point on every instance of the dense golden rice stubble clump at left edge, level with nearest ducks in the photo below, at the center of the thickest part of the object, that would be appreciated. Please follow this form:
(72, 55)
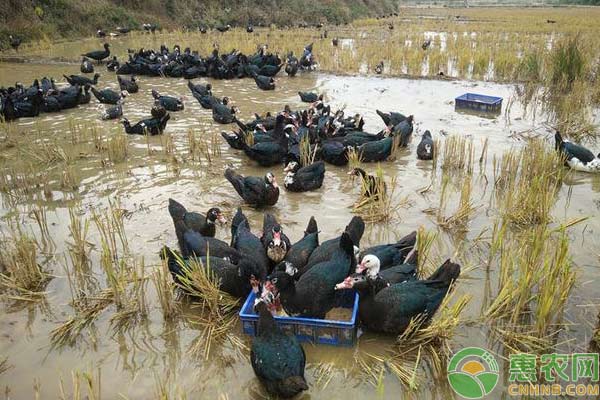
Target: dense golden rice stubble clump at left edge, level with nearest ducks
(22, 276)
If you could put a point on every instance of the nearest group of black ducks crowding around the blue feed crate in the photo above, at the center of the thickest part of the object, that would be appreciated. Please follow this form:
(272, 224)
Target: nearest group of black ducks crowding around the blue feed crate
(303, 278)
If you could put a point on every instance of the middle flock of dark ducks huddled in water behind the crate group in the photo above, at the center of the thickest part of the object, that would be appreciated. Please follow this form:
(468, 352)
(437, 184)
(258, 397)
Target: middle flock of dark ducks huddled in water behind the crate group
(330, 137)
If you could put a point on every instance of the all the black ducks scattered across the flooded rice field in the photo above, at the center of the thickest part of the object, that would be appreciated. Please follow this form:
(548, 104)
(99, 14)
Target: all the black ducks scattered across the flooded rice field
(300, 277)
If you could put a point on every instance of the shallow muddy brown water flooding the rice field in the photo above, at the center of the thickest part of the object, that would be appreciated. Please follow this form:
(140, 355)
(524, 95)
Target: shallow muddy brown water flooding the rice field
(131, 362)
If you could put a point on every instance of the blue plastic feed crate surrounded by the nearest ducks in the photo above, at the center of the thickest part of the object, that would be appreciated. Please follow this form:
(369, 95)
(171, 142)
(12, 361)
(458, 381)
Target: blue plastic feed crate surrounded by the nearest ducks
(318, 331)
